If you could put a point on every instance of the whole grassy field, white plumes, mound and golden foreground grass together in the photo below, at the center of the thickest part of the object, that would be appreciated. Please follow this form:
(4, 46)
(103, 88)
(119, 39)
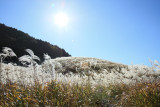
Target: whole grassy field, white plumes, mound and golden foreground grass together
(74, 83)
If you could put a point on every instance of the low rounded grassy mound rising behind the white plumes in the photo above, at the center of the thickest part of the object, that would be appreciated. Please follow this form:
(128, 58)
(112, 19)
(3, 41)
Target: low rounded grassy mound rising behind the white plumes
(79, 64)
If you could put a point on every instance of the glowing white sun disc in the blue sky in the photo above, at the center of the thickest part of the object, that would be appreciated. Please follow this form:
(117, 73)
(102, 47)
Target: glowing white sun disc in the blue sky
(61, 19)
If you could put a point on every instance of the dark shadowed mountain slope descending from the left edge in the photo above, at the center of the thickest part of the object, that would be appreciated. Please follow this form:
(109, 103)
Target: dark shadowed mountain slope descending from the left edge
(18, 41)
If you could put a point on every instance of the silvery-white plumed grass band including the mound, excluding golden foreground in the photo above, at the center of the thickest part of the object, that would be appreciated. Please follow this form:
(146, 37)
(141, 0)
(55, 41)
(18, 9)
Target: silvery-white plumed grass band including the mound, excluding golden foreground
(80, 70)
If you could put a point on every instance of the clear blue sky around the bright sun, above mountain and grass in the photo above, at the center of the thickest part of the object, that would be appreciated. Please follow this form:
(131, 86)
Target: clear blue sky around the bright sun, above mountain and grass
(123, 31)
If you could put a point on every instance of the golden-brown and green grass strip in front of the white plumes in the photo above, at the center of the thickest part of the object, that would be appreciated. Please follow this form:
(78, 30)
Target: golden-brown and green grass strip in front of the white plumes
(65, 95)
